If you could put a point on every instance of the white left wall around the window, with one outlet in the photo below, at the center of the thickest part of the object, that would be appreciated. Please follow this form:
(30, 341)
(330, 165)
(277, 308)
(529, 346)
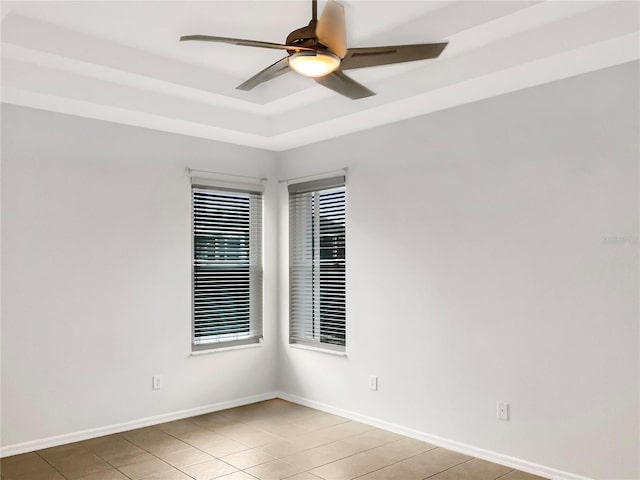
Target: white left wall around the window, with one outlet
(96, 276)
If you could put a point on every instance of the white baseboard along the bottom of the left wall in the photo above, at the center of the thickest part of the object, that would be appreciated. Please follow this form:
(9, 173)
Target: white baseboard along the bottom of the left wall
(54, 441)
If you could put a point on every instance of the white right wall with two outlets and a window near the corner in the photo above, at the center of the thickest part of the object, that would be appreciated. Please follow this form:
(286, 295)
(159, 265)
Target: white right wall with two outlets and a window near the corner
(492, 254)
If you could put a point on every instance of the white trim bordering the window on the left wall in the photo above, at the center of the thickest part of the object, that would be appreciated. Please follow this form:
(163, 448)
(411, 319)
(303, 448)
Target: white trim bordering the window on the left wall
(229, 187)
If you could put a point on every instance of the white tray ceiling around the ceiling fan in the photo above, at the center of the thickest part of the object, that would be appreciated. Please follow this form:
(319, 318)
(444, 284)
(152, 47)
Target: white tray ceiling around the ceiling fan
(122, 62)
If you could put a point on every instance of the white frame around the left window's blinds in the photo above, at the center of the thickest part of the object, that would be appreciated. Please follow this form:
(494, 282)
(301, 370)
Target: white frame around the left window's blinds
(255, 318)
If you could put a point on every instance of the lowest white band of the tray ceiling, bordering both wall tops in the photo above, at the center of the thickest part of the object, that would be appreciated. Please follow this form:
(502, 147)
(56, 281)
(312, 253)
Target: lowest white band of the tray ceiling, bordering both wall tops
(575, 62)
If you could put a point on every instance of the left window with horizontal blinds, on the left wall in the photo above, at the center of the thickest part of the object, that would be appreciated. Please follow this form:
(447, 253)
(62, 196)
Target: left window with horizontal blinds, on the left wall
(227, 266)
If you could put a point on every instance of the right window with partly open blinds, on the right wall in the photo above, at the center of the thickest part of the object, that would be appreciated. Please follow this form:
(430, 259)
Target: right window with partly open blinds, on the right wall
(317, 263)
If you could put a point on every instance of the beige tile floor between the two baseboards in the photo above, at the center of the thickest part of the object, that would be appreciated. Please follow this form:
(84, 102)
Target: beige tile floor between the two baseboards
(268, 440)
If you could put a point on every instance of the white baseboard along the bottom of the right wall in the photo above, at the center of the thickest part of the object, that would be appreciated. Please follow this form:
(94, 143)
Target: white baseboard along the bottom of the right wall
(495, 457)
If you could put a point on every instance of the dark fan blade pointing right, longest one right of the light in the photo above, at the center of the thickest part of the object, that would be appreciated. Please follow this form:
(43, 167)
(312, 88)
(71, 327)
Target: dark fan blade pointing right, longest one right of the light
(373, 56)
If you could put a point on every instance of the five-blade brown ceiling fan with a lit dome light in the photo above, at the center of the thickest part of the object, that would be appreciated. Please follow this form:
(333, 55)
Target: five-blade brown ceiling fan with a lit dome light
(319, 50)
